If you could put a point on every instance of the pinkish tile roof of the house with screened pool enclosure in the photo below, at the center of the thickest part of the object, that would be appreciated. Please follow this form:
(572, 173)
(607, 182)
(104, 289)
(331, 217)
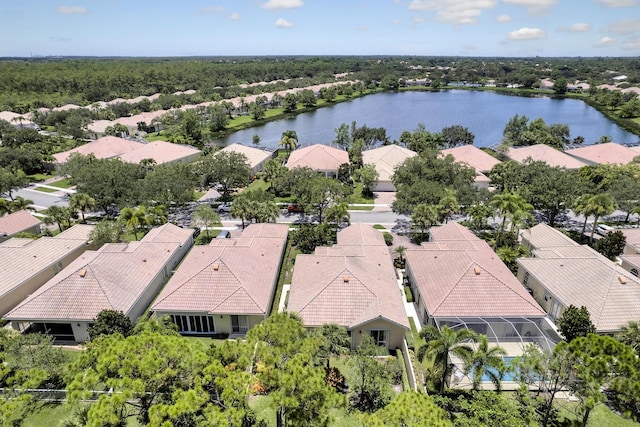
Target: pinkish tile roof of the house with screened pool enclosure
(468, 282)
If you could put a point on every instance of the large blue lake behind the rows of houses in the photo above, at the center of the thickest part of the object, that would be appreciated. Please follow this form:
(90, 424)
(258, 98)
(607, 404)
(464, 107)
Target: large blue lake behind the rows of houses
(484, 113)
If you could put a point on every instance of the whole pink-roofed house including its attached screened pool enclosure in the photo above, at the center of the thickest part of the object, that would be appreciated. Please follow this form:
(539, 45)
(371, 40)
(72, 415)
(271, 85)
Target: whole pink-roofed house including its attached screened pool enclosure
(458, 281)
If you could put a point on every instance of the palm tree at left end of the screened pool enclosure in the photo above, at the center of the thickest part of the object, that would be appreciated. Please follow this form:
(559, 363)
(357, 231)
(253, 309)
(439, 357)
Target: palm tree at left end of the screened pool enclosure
(441, 342)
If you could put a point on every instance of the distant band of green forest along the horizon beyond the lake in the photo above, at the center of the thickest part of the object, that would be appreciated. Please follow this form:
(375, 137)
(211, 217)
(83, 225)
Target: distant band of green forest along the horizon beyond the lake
(30, 83)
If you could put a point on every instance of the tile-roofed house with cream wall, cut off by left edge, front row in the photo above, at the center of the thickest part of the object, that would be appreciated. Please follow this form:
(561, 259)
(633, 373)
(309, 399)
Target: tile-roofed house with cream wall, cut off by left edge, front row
(27, 264)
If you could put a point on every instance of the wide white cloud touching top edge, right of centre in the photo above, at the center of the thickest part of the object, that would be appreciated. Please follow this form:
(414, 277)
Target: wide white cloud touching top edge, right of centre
(454, 11)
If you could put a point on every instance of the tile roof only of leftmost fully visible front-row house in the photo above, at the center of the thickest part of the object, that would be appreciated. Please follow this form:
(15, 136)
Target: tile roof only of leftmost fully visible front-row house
(114, 277)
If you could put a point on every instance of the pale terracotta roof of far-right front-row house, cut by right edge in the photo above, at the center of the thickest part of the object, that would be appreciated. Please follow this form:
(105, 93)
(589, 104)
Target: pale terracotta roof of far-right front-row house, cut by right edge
(591, 282)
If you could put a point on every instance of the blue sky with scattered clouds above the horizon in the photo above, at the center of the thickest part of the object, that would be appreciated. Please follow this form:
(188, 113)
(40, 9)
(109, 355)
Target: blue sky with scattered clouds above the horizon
(320, 27)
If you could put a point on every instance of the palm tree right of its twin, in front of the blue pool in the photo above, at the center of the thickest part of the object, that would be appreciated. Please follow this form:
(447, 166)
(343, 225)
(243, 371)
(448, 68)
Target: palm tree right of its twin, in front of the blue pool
(486, 361)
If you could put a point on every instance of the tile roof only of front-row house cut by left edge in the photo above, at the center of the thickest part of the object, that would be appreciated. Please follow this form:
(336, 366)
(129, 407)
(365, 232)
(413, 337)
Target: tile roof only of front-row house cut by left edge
(22, 259)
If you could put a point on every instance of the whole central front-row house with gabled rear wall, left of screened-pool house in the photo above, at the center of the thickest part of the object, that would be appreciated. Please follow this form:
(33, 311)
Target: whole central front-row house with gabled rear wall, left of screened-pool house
(353, 284)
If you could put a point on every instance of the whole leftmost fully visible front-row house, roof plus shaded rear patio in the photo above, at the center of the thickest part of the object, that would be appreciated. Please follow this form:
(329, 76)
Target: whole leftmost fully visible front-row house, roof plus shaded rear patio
(118, 276)
